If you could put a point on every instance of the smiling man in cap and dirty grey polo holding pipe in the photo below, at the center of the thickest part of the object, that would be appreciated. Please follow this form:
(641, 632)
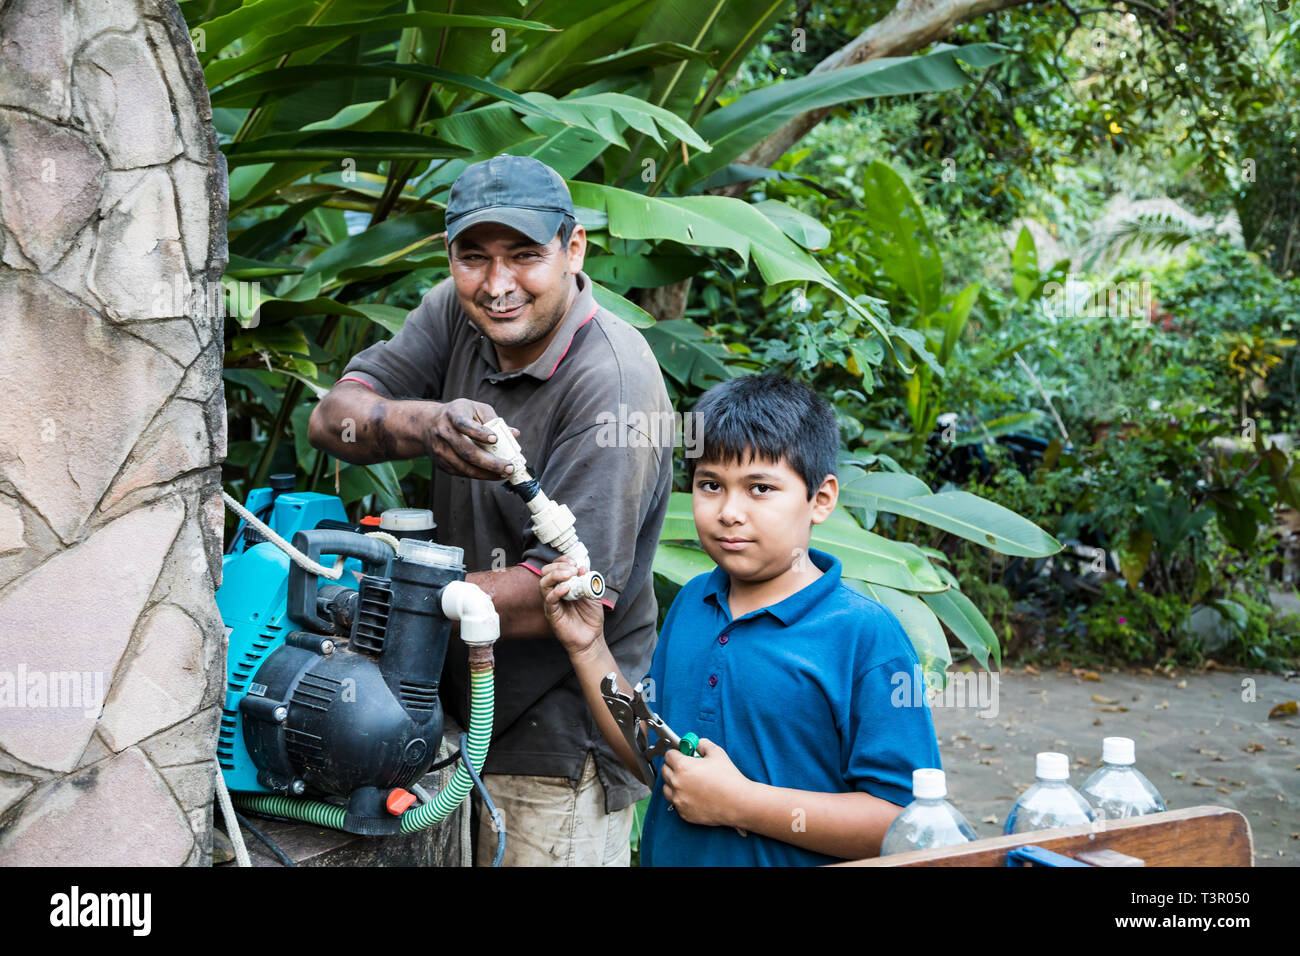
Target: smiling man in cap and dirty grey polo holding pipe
(515, 332)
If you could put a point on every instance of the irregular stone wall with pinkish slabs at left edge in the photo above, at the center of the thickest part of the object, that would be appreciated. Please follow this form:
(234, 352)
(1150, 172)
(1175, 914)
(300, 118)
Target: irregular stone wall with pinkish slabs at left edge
(112, 430)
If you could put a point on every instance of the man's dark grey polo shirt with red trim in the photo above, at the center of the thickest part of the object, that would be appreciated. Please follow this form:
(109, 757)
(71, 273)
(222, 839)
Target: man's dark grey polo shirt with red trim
(586, 412)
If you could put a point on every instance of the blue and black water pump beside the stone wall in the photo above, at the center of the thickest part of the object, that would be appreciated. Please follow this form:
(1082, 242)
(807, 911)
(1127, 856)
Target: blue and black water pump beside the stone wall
(333, 687)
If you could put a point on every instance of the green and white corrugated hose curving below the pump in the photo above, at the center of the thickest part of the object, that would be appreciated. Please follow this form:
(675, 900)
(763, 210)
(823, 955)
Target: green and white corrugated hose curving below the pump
(482, 702)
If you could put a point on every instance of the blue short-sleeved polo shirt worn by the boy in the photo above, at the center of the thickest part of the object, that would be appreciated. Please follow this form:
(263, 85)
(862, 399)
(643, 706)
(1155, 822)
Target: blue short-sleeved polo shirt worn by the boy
(798, 694)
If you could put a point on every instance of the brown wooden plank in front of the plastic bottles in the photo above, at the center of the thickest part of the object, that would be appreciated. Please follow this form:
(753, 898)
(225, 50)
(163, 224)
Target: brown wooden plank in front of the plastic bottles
(1193, 837)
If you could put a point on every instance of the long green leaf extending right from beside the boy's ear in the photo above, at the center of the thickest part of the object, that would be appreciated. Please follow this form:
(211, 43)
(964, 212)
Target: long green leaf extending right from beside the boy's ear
(959, 513)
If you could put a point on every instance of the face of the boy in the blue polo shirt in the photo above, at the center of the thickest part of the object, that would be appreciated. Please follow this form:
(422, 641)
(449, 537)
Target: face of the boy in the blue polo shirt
(755, 518)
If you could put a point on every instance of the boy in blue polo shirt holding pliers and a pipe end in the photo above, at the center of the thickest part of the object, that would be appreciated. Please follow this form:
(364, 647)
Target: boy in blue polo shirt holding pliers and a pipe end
(782, 669)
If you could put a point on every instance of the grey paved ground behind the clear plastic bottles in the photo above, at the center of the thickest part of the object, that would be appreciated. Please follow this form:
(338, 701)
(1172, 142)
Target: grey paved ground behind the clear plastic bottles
(1202, 738)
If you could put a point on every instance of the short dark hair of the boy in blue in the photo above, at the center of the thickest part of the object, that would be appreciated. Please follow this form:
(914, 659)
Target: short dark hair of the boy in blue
(773, 418)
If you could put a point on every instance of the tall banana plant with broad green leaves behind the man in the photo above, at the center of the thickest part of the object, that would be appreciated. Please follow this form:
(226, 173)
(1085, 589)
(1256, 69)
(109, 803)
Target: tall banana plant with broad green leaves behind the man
(346, 122)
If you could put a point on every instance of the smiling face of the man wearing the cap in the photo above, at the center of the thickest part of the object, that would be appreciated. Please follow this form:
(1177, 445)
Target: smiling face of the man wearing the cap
(514, 289)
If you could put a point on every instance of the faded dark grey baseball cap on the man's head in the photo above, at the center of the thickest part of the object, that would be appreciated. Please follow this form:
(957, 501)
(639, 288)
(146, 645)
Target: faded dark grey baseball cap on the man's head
(518, 192)
